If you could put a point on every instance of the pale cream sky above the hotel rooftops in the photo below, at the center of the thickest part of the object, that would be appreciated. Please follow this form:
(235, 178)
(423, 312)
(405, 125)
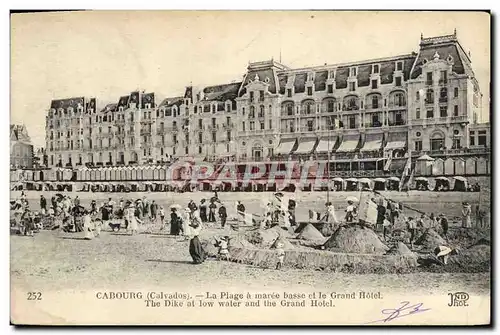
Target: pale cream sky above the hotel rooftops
(107, 54)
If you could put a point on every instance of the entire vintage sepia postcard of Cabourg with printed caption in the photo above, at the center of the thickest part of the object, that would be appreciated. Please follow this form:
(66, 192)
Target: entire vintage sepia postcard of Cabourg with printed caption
(250, 168)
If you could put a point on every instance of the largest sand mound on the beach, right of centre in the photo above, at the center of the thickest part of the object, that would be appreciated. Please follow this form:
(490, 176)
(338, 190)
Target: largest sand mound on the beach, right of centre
(354, 239)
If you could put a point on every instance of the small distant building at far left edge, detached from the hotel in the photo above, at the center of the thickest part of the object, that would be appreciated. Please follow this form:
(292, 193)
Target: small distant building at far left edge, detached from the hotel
(21, 148)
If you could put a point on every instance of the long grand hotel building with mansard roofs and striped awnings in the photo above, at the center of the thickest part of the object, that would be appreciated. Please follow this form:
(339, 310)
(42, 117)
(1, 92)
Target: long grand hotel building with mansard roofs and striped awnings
(427, 101)
